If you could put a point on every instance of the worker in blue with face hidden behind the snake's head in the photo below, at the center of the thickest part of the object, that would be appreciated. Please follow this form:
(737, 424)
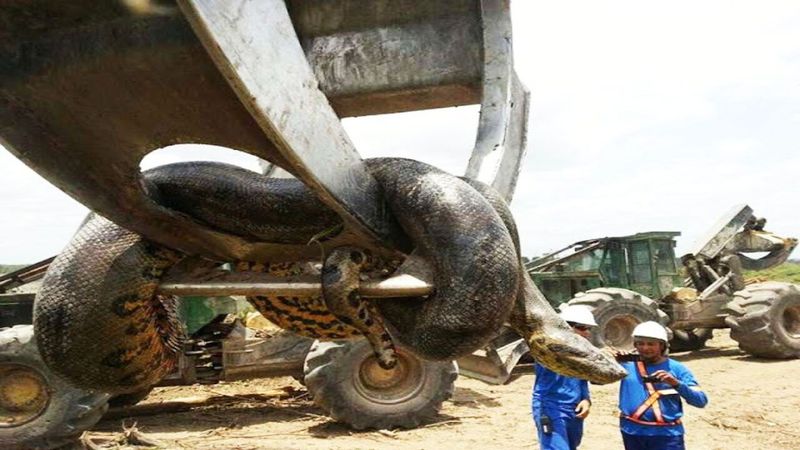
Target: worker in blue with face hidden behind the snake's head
(561, 403)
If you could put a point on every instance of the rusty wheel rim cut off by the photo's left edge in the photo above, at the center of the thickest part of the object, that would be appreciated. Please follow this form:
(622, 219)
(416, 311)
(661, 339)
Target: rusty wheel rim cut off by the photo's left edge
(23, 395)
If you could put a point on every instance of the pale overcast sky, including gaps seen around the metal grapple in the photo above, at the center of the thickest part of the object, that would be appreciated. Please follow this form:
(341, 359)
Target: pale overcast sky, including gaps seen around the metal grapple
(645, 116)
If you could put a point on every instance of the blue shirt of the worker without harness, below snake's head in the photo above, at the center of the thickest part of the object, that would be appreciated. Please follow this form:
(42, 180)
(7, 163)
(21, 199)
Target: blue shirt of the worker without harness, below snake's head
(556, 394)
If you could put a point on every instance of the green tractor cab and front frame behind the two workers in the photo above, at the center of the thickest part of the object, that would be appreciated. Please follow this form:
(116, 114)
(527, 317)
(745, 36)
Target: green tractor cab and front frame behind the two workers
(643, 262)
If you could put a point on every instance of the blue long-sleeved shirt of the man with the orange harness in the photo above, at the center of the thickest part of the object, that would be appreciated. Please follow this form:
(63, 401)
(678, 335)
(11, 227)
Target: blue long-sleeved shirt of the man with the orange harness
(633, 392)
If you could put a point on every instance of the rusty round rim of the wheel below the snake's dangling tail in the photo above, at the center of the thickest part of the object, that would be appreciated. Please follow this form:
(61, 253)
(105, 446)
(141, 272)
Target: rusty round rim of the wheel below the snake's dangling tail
(392, 386)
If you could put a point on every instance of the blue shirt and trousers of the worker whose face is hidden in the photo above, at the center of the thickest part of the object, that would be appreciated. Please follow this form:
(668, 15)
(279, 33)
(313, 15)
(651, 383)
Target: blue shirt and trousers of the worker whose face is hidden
(556, 397)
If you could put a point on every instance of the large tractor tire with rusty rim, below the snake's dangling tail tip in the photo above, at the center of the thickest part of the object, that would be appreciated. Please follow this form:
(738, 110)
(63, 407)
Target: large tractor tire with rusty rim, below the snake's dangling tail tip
(347, 382)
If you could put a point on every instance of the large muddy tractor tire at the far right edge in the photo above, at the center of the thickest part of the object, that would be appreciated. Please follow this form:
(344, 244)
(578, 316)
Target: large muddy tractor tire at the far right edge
(765, 319)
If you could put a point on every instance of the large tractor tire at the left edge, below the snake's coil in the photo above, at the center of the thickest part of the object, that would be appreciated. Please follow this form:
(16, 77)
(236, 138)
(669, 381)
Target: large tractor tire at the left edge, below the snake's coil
(38, 409)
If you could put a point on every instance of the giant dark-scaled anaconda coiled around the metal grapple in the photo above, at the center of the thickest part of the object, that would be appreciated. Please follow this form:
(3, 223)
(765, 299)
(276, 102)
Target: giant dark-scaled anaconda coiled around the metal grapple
(101, 324)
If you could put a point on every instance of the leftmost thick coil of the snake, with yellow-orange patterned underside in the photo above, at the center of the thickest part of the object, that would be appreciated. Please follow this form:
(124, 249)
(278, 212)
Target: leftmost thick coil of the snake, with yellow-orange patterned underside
(97, 316)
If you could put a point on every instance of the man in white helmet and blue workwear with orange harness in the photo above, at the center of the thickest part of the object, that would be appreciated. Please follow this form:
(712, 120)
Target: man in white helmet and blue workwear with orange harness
(650, 395)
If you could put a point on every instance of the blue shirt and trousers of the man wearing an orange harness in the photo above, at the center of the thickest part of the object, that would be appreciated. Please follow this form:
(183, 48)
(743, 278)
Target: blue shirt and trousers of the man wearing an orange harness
(646, 434)
